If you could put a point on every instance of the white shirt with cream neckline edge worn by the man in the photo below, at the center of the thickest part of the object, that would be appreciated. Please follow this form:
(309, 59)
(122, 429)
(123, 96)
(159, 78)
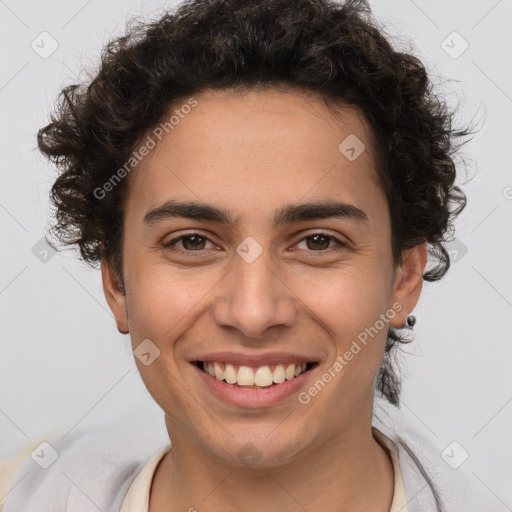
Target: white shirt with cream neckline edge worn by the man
(111, 468)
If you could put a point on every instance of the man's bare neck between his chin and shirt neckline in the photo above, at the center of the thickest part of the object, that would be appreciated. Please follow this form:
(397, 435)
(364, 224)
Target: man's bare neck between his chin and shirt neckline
(350, 472)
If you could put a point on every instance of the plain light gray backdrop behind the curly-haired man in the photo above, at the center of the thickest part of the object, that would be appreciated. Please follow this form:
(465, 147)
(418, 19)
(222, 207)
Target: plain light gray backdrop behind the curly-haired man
(63, 363)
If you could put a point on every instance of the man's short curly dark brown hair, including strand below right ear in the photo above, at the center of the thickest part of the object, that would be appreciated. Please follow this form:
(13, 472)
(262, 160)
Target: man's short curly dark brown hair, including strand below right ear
(337, 51)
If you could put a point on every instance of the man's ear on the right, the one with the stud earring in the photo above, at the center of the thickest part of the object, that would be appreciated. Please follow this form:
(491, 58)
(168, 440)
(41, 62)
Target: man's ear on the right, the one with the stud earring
(408, 282)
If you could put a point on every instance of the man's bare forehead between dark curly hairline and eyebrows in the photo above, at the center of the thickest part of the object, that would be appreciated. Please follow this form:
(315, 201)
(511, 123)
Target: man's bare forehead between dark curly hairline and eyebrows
(255, 148)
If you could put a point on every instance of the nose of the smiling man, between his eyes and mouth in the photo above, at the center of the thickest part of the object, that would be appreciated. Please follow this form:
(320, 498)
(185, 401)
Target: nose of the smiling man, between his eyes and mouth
(254, 297)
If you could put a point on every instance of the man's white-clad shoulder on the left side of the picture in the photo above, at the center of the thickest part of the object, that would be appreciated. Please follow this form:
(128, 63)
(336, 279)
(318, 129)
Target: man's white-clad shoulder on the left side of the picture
(77, 472)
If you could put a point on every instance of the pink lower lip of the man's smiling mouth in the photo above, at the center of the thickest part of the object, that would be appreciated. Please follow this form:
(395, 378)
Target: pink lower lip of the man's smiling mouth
(254, 398)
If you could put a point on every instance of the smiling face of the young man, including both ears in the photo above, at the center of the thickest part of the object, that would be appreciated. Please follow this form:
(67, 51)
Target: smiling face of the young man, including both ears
(261, 280)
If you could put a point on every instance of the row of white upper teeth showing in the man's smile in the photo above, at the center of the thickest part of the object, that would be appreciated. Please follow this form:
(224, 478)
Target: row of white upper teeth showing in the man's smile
(263, 376)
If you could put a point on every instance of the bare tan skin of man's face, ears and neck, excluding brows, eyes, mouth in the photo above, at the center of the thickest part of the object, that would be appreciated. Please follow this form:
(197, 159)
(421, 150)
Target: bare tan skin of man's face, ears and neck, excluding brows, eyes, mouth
(252, 153)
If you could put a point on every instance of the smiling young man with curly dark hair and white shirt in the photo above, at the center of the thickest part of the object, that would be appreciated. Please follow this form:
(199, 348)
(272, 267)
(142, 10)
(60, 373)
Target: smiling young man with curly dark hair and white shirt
(261, 182)
